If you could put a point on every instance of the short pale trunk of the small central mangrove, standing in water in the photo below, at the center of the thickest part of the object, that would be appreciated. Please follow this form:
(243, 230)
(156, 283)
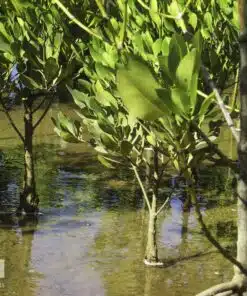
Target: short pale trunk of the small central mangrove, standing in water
(151, 250)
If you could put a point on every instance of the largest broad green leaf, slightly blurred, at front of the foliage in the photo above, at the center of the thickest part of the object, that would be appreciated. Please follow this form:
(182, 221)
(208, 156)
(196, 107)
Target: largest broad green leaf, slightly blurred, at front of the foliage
(137, 87)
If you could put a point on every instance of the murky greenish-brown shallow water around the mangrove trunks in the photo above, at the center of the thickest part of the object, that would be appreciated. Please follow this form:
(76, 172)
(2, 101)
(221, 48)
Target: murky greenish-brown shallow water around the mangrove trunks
(90, 237)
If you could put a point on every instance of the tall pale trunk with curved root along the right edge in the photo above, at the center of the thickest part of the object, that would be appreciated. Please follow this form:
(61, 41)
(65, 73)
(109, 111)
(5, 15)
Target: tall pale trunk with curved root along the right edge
(238, 286)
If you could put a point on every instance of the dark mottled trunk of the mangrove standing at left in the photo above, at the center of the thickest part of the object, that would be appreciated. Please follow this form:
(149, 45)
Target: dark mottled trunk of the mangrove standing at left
(28, 199)
